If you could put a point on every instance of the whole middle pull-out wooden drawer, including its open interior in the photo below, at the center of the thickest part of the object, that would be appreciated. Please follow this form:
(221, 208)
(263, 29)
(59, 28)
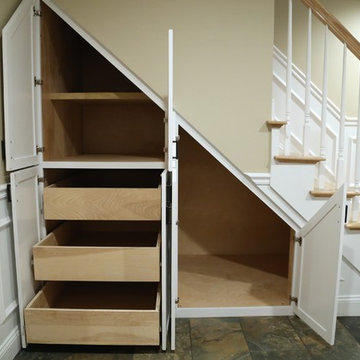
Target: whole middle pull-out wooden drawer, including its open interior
(104, 251)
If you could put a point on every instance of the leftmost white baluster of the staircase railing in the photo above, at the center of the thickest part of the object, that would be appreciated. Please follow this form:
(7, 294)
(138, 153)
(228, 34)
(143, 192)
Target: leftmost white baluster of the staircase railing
(287, 141)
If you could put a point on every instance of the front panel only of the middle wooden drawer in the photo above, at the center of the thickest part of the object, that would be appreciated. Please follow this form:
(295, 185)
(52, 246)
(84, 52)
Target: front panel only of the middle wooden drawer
(96, 264)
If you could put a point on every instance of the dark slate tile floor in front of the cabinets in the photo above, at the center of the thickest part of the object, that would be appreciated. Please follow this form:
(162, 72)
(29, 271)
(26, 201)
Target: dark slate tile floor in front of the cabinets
(259, 338)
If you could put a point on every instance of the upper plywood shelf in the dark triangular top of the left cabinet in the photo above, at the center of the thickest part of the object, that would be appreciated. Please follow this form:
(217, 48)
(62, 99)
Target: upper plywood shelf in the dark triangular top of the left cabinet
(100, 97)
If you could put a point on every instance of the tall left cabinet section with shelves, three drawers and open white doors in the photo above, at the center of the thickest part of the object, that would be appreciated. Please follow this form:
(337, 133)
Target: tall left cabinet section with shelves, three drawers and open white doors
(85, 148)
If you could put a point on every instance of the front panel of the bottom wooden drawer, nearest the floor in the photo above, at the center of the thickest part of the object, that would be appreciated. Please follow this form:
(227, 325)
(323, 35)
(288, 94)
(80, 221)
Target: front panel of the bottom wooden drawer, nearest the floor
(93, 327)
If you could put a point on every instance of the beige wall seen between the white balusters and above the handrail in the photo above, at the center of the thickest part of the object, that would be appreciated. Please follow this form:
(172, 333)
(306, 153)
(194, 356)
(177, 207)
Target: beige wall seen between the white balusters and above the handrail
(347, 11)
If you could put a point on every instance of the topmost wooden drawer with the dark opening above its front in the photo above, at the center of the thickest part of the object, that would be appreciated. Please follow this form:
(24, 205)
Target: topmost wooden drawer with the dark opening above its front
(104, 195)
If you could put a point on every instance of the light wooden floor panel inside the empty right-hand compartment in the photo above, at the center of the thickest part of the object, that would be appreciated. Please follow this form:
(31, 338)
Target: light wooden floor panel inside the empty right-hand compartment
(233, 281)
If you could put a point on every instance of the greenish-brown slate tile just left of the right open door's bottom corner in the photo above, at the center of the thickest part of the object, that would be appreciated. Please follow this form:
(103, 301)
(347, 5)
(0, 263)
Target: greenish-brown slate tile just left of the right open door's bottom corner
(271, 334)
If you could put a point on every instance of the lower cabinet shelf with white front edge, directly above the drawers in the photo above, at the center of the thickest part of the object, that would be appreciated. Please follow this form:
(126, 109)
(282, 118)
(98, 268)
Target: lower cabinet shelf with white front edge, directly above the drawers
(106, 161)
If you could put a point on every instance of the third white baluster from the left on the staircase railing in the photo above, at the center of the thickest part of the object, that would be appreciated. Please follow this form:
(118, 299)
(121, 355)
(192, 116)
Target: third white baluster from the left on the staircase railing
(321, 173)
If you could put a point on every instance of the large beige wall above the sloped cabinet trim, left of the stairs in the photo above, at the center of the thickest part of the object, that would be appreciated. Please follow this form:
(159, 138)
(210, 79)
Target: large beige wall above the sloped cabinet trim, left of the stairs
(223, 61)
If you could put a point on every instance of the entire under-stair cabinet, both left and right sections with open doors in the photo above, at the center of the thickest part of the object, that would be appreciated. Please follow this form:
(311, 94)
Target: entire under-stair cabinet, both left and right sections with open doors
(102, 255)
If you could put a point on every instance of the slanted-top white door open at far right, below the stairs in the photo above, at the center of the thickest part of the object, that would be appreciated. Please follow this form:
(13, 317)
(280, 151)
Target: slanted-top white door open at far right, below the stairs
(318, 267)
